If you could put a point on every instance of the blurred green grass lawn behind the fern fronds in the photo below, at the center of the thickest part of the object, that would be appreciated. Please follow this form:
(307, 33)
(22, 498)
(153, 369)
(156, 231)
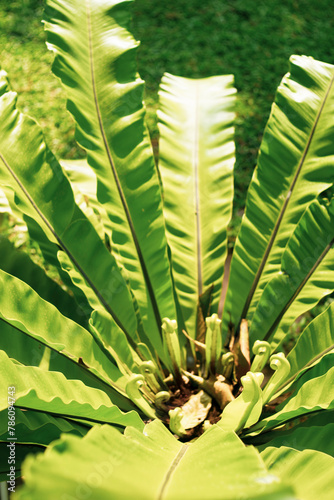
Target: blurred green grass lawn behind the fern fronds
(252, 39)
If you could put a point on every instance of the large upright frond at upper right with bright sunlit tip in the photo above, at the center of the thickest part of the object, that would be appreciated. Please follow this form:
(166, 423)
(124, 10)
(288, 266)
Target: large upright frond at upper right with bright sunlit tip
(294, 166)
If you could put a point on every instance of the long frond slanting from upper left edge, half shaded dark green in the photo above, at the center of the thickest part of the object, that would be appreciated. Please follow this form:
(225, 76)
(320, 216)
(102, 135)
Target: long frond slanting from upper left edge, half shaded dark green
(42, 191)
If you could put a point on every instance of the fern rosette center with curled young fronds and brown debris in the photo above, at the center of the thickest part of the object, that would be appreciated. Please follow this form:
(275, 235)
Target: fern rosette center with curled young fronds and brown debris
(201, 384)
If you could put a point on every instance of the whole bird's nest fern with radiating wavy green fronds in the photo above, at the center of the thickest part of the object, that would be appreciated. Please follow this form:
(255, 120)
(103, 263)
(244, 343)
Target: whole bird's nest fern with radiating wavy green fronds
(159, 362)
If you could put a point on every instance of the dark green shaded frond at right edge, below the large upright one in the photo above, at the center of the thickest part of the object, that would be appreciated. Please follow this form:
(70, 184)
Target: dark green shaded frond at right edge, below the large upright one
(308, 247)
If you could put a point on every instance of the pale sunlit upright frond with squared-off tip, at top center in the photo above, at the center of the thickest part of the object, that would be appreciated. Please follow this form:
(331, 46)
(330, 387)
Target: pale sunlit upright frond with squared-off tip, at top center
(196, 158)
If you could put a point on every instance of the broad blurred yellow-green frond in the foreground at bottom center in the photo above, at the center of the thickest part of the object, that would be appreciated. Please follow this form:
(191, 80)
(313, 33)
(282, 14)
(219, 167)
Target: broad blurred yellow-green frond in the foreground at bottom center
(216, 466)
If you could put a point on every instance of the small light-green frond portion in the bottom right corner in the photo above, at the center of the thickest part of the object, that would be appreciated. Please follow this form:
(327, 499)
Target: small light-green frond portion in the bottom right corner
(311, 473)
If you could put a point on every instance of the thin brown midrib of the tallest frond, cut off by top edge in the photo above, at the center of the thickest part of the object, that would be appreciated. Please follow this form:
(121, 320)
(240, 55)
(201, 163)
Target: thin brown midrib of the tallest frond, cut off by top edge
(114, 172)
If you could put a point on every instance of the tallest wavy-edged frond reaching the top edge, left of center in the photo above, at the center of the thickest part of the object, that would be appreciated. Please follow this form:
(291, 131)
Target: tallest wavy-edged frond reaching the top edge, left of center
(96, 61)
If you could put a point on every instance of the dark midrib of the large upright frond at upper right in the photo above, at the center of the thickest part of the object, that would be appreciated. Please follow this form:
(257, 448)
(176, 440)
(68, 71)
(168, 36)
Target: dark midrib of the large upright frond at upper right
(286, 202)
